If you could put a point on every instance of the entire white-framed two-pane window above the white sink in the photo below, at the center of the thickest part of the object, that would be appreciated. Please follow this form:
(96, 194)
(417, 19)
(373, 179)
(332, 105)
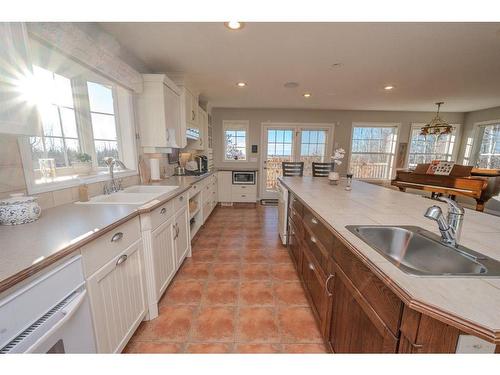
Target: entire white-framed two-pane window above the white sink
(81, 113)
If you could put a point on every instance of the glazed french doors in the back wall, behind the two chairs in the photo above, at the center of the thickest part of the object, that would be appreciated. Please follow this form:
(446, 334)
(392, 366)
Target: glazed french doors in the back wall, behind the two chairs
(291, 142)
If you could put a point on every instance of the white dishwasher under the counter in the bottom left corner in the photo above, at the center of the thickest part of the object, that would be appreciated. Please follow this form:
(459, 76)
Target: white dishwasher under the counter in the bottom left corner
(49, 315)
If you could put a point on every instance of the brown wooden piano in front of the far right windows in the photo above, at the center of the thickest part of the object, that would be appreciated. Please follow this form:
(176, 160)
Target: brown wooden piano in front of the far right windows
(476, 183)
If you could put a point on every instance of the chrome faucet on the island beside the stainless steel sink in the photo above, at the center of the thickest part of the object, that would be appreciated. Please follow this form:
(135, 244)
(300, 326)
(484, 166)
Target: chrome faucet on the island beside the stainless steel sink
(451, 227)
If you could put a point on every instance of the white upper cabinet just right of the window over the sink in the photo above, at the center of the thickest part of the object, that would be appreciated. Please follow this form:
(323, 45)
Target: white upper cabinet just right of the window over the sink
(160, 114)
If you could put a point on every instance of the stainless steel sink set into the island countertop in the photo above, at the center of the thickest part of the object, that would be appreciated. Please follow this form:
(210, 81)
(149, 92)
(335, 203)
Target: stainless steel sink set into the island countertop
(419, 252)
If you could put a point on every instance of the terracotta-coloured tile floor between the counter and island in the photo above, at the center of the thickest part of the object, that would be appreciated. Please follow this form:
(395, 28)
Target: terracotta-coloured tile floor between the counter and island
(239, 293)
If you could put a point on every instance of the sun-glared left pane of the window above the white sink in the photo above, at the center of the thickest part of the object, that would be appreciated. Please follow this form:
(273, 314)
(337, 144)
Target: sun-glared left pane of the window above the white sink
(59, 140)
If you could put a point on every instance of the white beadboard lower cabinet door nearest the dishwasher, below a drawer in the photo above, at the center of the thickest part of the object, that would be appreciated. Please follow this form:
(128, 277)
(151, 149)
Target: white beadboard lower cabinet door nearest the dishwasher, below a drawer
(117, 297)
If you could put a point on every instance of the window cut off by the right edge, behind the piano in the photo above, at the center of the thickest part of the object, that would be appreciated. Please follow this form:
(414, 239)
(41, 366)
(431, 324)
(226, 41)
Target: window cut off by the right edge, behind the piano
(489, 149)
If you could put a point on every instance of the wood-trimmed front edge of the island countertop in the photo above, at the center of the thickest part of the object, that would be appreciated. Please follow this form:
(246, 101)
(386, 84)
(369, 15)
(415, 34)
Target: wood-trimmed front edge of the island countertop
(437, 312)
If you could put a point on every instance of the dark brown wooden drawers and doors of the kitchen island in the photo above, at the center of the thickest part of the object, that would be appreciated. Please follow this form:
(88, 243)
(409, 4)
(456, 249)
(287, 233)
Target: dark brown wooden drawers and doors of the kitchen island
(355, 310)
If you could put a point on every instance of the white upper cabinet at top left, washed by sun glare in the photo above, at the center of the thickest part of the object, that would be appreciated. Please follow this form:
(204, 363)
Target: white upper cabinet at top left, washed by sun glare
(18, 91)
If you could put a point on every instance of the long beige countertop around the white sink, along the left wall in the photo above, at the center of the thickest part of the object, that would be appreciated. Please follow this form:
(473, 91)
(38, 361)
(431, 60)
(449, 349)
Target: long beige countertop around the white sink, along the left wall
(28, 248)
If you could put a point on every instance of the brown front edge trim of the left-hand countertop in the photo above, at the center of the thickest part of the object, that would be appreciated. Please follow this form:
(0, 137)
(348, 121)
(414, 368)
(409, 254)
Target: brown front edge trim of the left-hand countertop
(19, 276)
